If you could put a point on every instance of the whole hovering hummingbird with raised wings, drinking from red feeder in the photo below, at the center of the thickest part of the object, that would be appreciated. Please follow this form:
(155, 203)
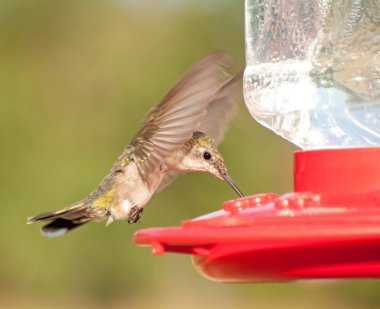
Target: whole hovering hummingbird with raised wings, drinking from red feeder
(178, 135)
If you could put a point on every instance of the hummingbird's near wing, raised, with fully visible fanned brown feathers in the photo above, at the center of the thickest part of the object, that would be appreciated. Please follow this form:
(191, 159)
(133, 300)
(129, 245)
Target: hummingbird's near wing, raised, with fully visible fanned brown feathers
(173, 120)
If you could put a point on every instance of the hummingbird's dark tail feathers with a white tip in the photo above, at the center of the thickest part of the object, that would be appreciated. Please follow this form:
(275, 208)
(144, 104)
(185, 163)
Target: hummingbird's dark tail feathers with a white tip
(63, 220)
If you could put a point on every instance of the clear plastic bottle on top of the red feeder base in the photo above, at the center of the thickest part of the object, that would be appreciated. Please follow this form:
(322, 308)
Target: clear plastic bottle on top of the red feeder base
(313, 70)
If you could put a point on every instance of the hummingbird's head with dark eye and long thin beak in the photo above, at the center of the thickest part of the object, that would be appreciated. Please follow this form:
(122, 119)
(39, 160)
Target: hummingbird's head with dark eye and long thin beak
(203, 156)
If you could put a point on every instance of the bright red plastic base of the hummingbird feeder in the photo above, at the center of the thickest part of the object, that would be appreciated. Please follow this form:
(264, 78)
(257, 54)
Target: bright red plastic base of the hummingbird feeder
(328, 228)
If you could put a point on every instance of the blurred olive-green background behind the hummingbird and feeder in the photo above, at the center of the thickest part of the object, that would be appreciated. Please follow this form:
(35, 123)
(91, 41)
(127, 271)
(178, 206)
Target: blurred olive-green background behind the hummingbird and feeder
(77, 76)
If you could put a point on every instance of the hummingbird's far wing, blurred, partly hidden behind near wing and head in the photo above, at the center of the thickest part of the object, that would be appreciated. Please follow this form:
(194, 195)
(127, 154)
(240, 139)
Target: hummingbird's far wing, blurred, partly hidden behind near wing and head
(220, 111)
